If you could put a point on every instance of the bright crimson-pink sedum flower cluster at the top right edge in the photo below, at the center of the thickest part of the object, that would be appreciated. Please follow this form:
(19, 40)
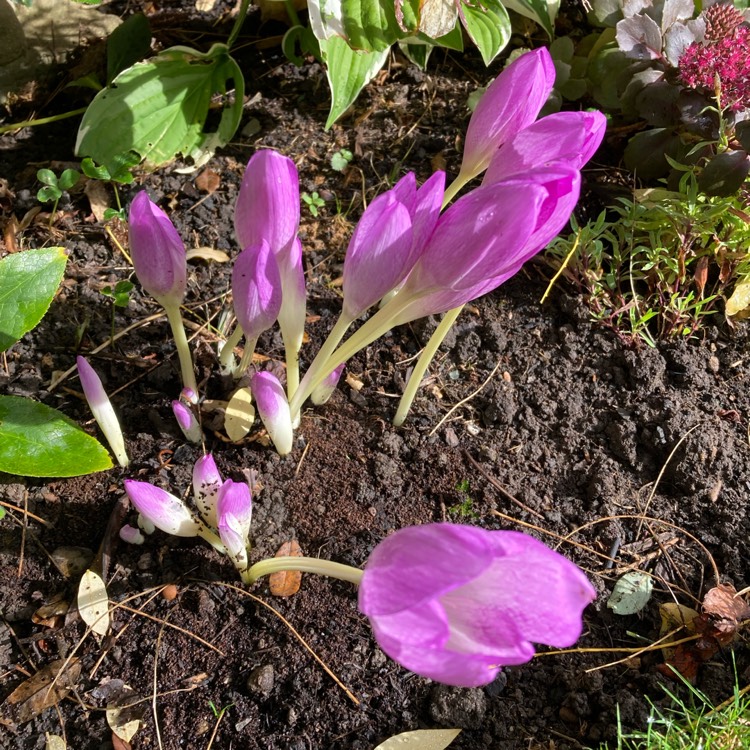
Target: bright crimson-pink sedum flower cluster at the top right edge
(727, 59)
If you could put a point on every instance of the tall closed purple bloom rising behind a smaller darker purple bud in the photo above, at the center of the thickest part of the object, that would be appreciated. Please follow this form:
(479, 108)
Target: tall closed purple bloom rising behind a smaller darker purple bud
(268, 205)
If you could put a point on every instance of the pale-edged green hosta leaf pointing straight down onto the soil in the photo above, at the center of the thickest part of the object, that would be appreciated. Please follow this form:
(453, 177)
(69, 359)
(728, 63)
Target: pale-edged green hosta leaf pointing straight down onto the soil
(348, 73)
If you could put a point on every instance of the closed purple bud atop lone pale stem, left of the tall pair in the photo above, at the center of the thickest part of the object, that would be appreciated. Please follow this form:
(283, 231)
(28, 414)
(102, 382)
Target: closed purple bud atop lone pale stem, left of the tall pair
(158, 252)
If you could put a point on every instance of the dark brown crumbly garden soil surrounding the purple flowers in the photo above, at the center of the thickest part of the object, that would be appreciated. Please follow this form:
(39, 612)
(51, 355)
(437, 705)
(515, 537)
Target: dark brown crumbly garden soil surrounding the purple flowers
(531, 418)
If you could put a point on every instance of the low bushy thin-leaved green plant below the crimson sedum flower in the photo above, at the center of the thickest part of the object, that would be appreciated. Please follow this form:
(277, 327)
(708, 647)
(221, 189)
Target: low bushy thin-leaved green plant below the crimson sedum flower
(653, 267)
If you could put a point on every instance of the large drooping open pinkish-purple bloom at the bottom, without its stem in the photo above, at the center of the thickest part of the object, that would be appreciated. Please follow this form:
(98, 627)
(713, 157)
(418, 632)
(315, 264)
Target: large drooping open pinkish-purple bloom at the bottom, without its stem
(456, 603)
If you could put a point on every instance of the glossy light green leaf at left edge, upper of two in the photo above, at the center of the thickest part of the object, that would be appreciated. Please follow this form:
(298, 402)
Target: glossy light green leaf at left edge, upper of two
(28, 282)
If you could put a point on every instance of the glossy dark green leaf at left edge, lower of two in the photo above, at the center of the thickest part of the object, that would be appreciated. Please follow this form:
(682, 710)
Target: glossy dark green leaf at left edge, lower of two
(38, 441)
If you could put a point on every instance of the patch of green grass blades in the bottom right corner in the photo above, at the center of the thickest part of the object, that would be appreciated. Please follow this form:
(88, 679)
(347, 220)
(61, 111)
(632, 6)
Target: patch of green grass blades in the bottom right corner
(693, 724)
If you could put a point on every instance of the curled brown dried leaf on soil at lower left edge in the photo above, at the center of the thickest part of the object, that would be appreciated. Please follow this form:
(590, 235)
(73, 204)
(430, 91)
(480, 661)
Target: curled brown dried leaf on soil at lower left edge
(47, 687)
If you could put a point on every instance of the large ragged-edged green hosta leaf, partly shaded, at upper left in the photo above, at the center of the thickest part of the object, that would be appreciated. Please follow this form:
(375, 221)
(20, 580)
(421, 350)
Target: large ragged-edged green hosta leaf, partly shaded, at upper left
(158, 109)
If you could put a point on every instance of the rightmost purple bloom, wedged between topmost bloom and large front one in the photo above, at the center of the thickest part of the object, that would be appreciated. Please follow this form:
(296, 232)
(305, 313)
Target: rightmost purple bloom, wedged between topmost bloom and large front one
(569, 137)
